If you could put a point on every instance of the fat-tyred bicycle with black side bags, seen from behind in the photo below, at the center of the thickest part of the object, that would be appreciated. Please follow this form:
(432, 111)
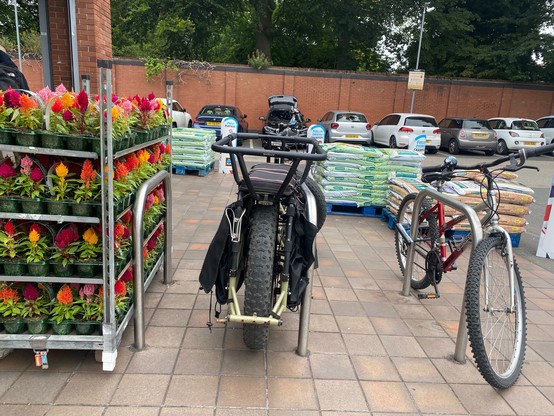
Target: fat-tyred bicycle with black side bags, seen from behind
(266, 238)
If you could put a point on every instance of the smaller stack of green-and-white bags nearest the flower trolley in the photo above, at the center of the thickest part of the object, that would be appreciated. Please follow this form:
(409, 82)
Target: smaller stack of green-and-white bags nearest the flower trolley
(192, 148)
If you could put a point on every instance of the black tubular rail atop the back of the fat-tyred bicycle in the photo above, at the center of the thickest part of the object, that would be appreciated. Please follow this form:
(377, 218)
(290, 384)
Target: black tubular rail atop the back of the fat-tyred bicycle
(224, 145)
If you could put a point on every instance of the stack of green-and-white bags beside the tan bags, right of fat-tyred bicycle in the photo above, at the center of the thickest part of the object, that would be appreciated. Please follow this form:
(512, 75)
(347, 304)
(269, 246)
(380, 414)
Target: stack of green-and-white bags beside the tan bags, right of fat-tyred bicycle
(359, 175)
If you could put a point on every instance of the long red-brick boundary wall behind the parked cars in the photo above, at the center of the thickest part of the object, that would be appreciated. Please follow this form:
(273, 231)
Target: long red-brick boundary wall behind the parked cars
(320, 91)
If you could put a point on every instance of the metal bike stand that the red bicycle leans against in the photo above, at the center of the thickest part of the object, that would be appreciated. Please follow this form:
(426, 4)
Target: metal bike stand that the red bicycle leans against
(477, 236)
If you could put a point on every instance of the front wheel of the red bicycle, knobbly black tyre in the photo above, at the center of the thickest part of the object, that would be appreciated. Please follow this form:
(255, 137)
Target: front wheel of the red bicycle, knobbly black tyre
(497, 333)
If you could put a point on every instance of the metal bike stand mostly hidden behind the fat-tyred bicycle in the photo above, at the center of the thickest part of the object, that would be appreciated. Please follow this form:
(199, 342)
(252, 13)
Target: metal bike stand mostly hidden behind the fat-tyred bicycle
(304, 324)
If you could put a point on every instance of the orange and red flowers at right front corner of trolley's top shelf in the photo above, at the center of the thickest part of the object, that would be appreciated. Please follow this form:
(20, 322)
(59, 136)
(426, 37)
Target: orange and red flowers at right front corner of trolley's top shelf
(72, 113)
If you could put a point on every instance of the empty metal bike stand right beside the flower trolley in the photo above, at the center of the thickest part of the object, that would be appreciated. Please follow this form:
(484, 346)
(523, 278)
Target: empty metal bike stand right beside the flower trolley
(138, 241)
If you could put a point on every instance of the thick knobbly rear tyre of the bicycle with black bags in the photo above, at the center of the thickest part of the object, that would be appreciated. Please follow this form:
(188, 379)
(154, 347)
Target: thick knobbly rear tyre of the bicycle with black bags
(259, 273)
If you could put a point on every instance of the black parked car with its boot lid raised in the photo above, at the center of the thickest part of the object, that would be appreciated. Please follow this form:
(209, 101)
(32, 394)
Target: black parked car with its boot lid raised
(283, 109)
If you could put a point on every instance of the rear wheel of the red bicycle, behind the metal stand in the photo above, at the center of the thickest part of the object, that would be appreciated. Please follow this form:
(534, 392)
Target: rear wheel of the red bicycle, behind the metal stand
(428, 234)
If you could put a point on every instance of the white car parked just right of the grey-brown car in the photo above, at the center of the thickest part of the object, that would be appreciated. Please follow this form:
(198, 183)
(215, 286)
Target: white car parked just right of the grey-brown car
(516, 133)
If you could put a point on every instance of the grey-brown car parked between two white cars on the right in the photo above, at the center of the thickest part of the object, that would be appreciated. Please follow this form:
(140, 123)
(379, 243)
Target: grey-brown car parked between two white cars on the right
(458, 133)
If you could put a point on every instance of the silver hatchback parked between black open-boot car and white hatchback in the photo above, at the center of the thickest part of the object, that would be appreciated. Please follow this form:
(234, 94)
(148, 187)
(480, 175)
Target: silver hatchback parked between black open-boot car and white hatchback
(345, 126)
